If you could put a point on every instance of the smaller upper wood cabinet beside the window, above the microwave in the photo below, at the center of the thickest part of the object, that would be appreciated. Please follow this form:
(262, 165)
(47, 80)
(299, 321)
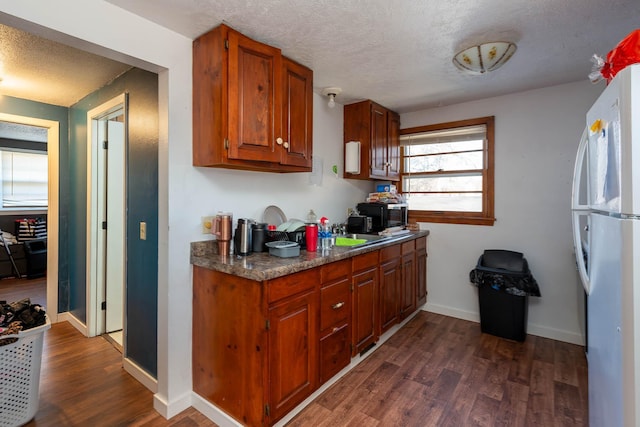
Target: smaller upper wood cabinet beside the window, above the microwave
(378, 130)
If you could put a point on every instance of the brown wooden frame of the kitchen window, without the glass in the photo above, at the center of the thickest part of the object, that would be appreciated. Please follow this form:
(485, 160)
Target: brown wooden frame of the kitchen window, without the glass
(487, 215)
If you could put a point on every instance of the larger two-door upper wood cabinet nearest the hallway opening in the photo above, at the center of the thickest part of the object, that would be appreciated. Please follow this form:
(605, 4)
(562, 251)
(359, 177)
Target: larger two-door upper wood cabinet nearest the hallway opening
(252, 107)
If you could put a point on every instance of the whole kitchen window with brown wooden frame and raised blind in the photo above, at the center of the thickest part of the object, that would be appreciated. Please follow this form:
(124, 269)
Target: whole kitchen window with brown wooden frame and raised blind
(447, 172)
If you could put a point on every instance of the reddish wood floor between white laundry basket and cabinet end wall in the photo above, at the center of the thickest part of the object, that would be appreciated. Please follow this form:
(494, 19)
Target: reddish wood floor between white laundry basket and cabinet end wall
(82, 383)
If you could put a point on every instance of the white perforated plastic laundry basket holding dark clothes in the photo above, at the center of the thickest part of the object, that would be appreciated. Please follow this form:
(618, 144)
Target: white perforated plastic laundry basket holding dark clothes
(20, 375)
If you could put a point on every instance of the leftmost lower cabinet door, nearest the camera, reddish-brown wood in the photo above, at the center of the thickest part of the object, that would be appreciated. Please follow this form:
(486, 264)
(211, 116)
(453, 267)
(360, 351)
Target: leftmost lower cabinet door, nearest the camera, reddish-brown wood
(293, 352)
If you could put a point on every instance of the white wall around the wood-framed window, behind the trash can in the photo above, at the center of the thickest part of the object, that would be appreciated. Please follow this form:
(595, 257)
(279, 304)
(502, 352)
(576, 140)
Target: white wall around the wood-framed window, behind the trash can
(536, 138)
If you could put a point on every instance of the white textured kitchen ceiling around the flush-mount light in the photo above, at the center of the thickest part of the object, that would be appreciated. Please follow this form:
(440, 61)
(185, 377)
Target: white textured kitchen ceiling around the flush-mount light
(398, 53)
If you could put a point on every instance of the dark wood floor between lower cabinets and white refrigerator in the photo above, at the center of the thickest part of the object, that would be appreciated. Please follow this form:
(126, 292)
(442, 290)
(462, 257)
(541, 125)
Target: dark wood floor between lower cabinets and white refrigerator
(440, 371)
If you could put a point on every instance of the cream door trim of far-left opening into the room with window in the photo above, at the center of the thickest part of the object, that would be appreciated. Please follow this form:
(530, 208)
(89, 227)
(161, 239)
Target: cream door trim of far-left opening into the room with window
(53, 160)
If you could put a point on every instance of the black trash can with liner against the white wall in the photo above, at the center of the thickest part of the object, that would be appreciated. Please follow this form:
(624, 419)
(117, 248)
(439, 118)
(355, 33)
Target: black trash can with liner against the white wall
(504, 284)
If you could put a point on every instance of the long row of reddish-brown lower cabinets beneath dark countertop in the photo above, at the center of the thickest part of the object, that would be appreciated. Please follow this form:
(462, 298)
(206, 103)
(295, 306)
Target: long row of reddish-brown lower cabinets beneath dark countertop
(261, 347)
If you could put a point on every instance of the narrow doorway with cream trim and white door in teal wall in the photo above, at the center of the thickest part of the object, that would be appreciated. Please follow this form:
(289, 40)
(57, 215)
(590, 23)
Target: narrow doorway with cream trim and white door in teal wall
(106, 214)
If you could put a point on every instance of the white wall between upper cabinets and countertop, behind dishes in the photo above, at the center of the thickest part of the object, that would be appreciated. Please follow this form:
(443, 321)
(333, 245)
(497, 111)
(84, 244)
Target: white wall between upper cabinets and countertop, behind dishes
(247, 194)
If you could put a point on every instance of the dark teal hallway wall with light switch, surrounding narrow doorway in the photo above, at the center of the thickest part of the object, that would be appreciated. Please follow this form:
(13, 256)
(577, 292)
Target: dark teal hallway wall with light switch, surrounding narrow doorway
(142, 205)
